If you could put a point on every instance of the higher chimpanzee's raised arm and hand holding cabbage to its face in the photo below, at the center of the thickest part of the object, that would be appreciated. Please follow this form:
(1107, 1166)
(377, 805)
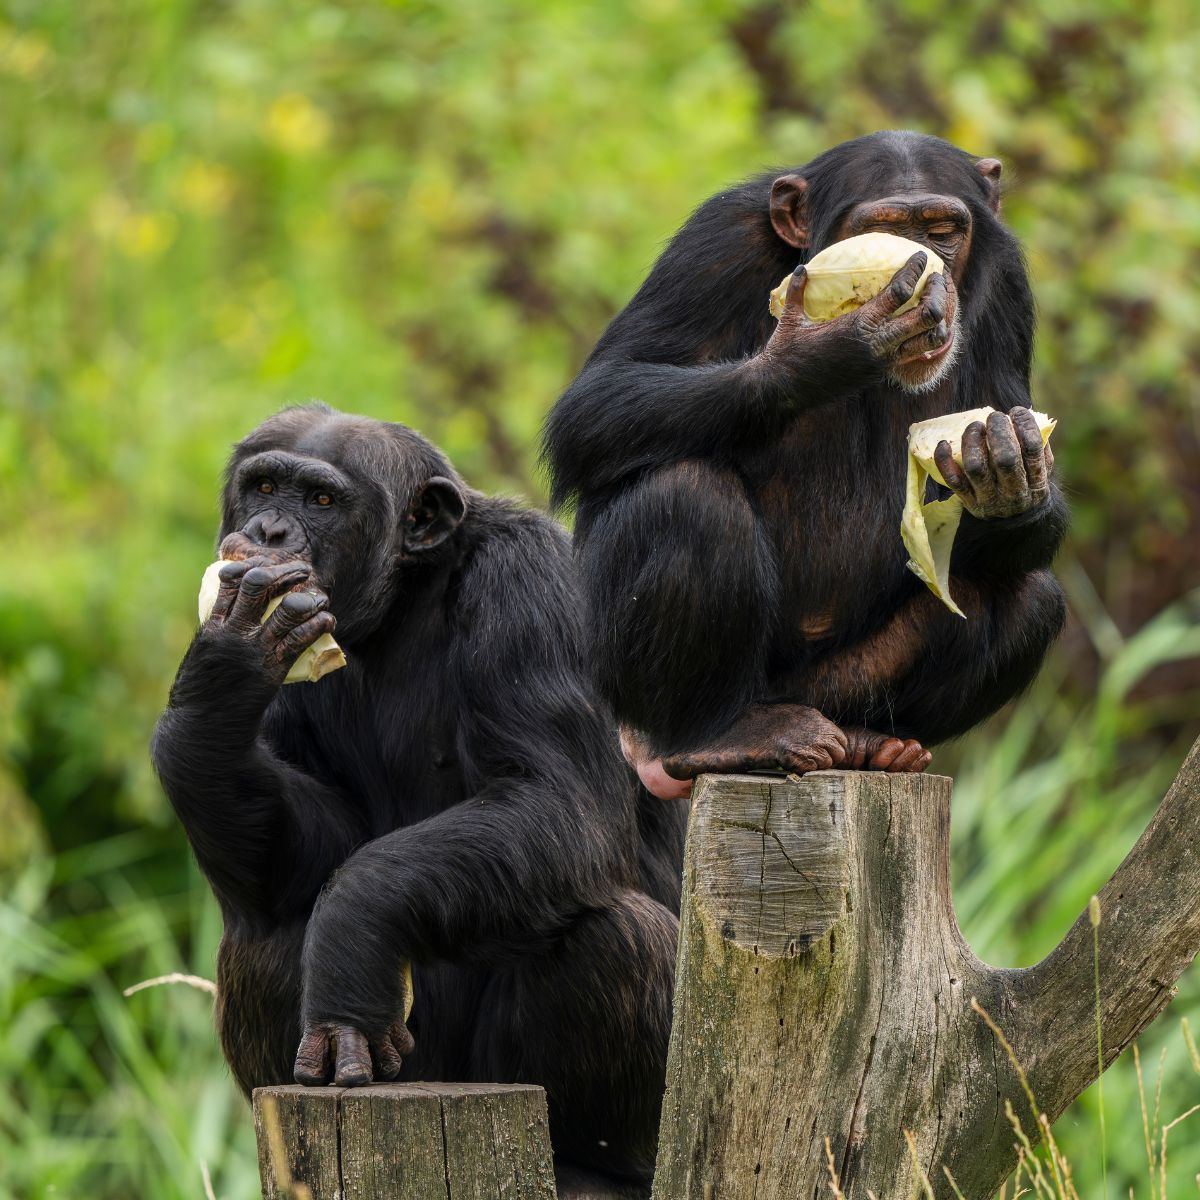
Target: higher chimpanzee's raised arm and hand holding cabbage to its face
(695, 367)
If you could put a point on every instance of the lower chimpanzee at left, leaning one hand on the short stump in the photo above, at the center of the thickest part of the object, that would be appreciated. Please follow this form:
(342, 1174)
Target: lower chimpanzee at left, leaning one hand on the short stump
(453, 799)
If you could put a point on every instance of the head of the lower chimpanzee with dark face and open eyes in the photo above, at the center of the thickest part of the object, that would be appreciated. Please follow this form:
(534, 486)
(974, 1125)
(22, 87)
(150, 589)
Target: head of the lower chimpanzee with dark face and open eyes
(362, 501)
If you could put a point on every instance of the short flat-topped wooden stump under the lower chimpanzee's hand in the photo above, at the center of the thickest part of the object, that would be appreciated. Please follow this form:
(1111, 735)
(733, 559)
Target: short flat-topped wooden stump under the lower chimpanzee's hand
(441, 1142)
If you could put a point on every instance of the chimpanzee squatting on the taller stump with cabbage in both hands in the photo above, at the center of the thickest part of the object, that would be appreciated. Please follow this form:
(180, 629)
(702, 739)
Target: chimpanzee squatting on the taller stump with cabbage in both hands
(739, 485)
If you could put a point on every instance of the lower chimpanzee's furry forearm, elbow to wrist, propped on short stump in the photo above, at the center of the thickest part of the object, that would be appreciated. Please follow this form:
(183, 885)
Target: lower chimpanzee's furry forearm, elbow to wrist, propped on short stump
(484, 880)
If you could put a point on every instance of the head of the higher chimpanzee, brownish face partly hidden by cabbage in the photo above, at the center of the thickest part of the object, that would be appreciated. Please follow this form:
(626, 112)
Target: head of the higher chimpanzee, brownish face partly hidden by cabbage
(931, 193)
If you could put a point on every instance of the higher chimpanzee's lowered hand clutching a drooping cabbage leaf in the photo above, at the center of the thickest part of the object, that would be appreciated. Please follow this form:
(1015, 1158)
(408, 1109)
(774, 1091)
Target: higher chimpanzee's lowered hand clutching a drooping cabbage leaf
(1006, 469)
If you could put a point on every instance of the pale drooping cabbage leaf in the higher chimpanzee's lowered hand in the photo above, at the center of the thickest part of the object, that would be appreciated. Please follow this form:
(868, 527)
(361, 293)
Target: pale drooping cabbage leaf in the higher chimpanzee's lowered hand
(928, 530)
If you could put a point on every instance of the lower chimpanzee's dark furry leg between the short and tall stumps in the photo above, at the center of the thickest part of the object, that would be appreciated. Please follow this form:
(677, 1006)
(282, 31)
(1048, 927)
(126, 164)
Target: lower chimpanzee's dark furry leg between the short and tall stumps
(590, 1021)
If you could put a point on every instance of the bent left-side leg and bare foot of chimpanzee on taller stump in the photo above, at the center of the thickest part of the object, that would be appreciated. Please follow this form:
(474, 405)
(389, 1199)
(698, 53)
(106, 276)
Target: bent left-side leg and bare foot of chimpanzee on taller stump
(683, 581)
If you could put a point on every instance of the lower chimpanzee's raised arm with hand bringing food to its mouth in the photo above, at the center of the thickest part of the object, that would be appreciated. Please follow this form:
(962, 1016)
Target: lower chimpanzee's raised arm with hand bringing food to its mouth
(253, 820)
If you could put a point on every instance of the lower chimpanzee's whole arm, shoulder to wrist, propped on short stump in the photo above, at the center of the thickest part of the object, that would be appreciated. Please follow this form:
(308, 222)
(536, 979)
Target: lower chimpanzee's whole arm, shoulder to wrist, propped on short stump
(541, 839)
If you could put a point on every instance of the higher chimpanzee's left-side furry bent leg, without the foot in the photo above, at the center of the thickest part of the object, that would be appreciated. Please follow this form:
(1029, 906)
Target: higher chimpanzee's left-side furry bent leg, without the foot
(682, 580)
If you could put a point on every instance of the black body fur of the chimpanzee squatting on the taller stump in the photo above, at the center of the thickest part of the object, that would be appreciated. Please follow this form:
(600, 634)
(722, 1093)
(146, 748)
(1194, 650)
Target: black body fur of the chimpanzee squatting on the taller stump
(722, 499)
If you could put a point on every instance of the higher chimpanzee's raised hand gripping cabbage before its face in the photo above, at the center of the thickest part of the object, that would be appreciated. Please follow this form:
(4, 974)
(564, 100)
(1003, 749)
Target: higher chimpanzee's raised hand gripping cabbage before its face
(872, 334)
